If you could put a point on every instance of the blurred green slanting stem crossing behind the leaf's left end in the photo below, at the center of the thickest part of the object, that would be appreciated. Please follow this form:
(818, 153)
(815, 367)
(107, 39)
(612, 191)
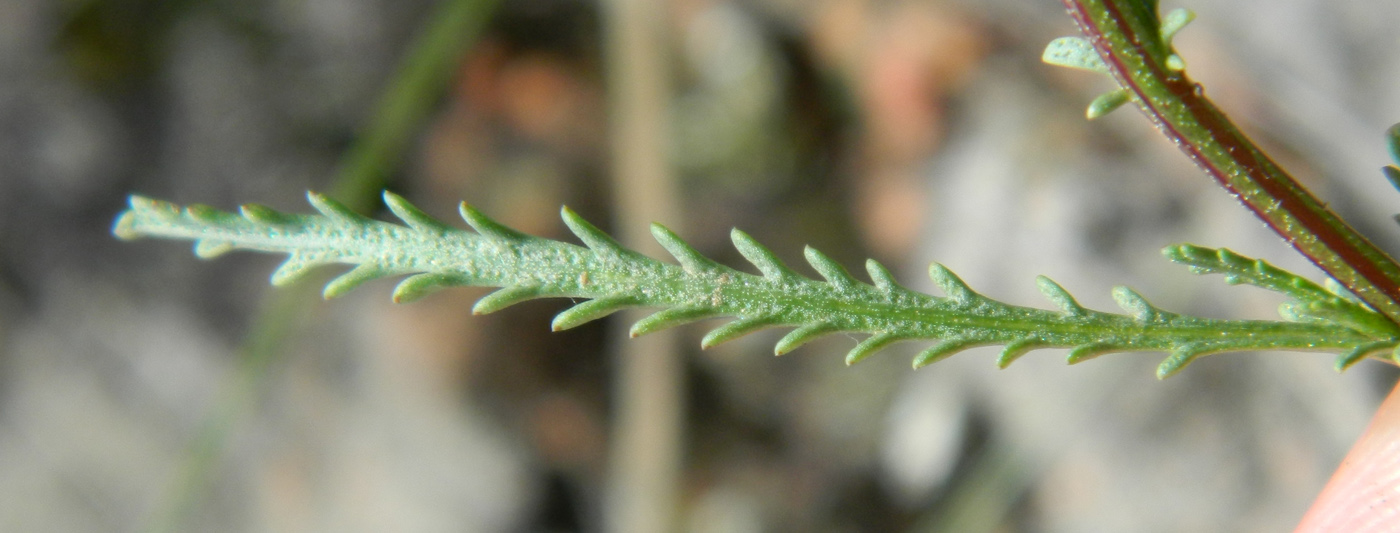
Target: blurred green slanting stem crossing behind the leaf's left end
(414, 93)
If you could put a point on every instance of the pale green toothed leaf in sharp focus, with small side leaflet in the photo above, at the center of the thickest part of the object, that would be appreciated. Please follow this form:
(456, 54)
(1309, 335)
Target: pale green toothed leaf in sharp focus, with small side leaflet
(612, 278)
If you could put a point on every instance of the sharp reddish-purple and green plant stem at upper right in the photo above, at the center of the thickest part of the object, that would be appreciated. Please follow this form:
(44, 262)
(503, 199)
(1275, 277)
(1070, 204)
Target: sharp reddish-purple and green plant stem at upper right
(1126, 37)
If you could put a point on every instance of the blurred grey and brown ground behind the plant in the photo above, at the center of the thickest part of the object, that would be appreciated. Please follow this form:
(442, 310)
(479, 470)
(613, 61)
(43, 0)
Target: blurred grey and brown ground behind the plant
(143, 390)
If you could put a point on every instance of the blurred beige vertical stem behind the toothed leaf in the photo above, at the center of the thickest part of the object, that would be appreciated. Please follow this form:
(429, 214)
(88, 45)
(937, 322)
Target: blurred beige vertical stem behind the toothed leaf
(645, 465)
